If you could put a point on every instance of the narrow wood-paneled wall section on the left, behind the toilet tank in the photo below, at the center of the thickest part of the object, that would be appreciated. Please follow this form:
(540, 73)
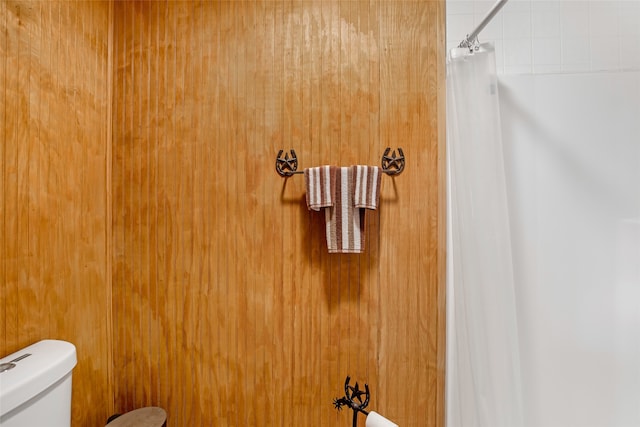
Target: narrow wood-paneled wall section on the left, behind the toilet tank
(54, 210)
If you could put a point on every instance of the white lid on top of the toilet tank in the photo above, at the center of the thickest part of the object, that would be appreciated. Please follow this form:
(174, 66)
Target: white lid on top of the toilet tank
(48, 362)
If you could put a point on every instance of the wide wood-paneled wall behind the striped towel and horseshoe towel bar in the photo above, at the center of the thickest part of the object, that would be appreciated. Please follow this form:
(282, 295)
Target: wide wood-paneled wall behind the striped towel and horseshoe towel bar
(228, 310)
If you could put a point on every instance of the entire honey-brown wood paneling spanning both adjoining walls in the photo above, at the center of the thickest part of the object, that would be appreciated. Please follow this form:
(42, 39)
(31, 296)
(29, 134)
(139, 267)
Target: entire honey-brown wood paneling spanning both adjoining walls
(227, 310)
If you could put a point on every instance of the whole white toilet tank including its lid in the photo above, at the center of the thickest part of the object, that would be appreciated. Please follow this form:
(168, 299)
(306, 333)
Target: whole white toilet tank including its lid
(35, 385)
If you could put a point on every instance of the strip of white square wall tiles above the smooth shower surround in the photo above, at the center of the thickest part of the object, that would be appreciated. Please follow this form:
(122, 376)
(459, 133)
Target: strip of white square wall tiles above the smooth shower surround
(554, 36)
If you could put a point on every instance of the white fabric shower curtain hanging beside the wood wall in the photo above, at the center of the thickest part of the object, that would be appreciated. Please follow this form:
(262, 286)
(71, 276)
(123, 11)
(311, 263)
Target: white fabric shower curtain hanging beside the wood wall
(483, 370)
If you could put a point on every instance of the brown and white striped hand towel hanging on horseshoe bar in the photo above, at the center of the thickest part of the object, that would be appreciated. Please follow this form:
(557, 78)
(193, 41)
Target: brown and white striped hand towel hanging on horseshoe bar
(344, 192)
